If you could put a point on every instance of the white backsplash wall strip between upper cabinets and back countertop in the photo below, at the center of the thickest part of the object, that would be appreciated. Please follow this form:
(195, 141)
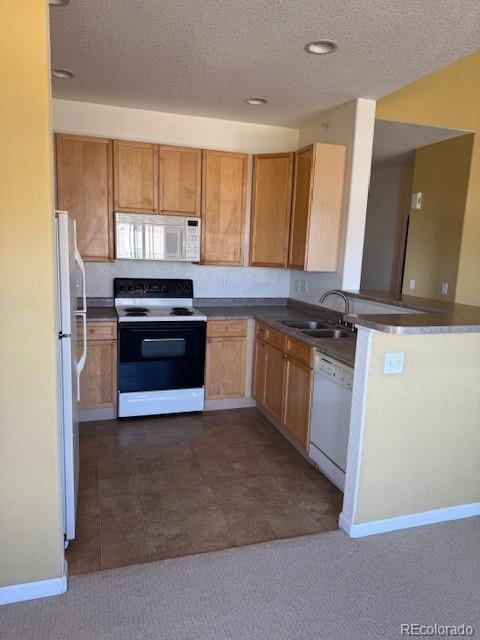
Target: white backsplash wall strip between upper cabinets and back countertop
(208, 281)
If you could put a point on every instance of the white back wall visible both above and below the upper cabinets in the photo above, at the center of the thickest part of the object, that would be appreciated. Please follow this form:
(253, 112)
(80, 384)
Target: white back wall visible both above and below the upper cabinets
(153, 126)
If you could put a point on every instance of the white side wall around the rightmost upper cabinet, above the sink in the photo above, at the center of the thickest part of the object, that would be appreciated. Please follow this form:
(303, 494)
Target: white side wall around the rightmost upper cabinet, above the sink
(350, 124)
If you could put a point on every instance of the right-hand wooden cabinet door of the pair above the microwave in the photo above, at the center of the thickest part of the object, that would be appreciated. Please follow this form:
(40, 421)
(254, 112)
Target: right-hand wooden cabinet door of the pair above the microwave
(180, 181)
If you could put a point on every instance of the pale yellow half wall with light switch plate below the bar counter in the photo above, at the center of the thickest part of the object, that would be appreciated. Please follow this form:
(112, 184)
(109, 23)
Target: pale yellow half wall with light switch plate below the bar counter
(421, 442)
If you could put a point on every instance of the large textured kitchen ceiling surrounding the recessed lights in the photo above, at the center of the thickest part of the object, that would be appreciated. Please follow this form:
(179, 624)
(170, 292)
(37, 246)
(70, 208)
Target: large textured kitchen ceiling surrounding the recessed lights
(204, 57)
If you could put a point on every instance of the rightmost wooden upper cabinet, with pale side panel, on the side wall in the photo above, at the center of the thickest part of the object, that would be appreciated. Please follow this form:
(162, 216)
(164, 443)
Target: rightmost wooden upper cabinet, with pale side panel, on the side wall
(318, 188)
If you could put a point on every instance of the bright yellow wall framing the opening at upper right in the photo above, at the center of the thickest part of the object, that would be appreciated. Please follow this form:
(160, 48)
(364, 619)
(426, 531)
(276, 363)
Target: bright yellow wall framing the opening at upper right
(450, 98)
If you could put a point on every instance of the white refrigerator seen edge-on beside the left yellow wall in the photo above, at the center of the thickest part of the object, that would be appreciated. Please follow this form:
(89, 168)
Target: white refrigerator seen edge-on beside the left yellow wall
(71, 327)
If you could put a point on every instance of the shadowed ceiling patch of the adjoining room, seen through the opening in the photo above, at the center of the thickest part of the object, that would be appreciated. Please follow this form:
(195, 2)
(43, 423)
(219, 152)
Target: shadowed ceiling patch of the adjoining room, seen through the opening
(395, 142)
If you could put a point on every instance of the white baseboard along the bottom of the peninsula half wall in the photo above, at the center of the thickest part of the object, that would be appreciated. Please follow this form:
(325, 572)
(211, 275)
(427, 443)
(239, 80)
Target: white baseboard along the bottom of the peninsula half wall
(409, 521)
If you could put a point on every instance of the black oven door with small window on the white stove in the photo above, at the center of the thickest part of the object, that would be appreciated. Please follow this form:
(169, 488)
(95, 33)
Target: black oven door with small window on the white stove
(156, 356)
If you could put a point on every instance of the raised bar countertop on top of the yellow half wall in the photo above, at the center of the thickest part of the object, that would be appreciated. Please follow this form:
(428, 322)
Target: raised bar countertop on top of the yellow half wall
(436, 316)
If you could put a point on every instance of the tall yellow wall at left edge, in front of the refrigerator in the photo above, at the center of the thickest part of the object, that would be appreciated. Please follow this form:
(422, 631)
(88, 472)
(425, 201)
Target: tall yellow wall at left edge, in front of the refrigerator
(30, 514)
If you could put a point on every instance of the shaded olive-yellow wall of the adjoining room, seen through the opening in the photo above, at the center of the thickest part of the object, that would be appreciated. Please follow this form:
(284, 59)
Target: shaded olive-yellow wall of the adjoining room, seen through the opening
(435, 232)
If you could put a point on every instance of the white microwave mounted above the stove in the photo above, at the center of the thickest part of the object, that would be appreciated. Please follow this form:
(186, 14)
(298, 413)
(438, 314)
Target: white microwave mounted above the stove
(141, 236)
